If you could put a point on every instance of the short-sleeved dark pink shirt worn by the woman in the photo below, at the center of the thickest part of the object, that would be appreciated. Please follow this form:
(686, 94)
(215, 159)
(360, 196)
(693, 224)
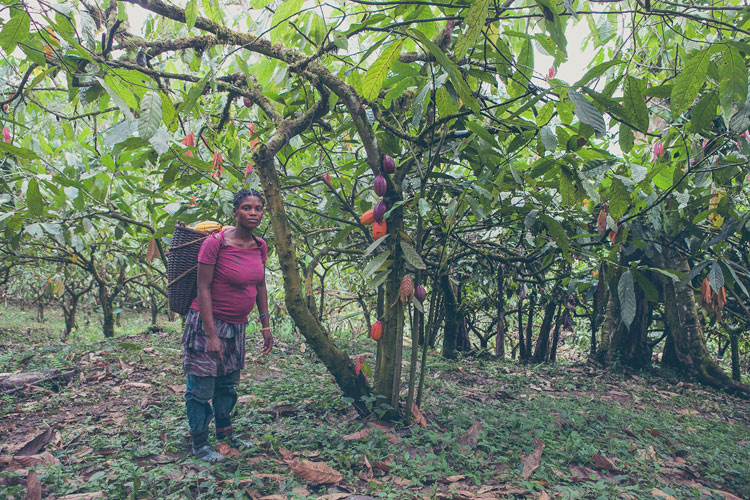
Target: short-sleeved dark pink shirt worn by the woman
(237, 273)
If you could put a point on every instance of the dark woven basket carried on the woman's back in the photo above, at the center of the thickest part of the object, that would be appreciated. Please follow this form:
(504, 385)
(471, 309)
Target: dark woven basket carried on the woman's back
(182, 267)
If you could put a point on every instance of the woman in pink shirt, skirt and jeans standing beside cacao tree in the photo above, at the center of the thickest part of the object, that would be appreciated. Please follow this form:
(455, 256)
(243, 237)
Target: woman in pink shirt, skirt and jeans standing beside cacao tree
(231, 280)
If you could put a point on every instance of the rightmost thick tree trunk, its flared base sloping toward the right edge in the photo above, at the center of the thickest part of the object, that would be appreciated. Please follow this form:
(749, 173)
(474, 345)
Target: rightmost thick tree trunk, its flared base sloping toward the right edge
(685, 330)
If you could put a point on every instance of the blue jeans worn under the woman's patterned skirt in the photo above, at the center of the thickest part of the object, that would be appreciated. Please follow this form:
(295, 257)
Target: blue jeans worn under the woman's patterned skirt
(200, 392)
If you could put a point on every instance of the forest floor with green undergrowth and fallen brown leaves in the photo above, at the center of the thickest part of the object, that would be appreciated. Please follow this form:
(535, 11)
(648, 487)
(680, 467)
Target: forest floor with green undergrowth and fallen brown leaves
(113, 427)
